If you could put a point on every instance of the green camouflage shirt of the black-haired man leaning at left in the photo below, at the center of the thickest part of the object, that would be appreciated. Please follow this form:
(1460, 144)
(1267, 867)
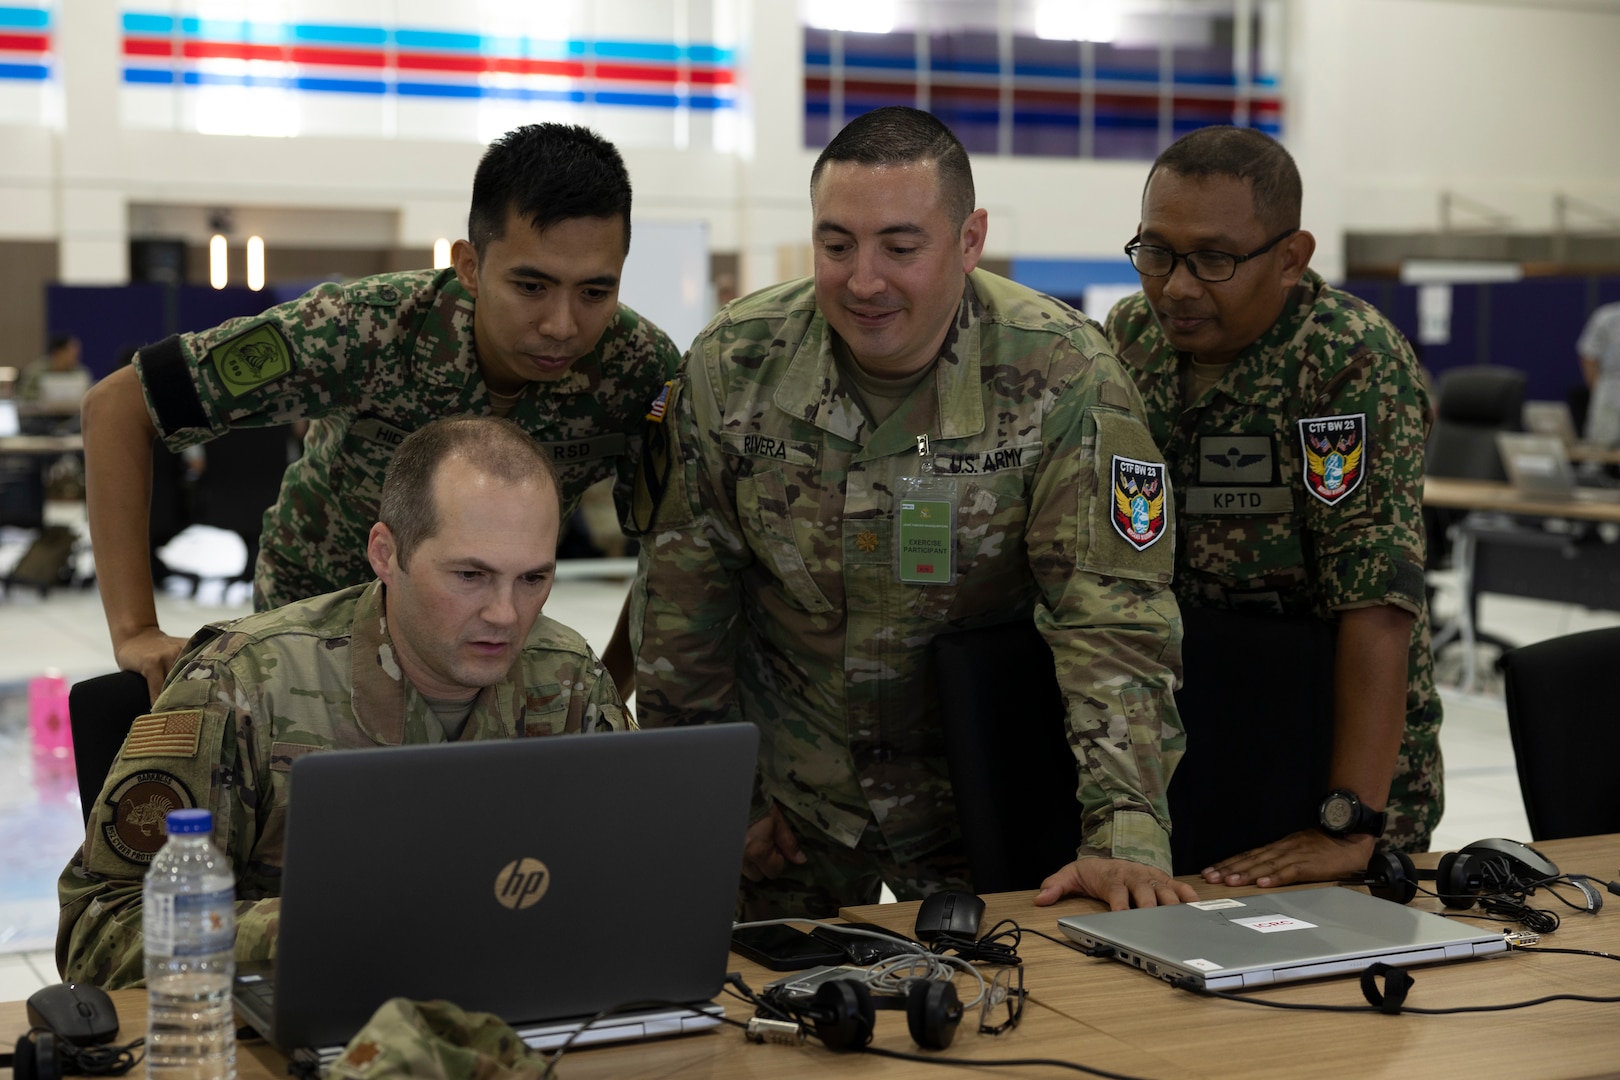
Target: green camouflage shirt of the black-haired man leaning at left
(369, 364)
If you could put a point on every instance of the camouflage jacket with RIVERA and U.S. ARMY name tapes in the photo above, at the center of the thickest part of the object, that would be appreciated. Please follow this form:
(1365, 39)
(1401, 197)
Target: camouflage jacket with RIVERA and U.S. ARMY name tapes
(769, 587)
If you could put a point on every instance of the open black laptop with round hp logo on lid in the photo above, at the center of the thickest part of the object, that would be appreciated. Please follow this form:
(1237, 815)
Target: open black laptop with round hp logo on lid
(542, 880)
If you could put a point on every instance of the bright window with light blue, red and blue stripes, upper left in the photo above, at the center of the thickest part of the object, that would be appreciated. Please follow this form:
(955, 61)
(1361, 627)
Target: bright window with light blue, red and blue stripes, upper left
(644, 72)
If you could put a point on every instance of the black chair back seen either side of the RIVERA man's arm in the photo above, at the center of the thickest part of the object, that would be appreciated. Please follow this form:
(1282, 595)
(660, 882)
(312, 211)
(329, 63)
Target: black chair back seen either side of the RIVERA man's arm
(1258, 708)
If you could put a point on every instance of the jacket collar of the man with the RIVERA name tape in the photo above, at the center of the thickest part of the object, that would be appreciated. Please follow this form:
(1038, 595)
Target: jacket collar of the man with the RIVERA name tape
(949, 406)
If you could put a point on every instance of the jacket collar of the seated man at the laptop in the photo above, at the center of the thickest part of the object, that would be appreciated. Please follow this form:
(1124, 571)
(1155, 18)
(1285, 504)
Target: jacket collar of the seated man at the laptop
(383, 699)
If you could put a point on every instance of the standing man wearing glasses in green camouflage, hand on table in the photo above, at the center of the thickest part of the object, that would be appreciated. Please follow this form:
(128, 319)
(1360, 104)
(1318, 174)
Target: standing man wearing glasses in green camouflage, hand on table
(1294, 419)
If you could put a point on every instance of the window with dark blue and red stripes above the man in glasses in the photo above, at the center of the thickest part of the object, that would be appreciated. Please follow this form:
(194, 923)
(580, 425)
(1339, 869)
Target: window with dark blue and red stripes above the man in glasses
(1051, 79)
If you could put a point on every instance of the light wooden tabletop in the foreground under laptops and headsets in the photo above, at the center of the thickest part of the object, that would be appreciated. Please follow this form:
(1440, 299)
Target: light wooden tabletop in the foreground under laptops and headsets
(1107, 1016)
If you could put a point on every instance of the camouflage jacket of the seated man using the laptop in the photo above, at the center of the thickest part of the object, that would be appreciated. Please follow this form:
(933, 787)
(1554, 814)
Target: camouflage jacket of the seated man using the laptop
(245, 702)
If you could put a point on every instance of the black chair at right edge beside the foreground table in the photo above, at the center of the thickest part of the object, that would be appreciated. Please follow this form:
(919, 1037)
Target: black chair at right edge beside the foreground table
(1566, 739)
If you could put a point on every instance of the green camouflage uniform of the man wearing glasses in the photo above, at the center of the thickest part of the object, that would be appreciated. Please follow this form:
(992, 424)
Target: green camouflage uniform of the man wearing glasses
(1255, 534)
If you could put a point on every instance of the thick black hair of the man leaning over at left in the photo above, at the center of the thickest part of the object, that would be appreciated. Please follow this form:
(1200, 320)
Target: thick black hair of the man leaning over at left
(548, 174)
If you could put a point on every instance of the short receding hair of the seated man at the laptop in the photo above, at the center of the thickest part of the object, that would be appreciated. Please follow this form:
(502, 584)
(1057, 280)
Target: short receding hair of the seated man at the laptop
(497, 448)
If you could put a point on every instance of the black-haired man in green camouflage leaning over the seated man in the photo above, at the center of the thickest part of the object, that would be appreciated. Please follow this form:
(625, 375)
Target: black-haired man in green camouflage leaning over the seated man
(527, 325)
